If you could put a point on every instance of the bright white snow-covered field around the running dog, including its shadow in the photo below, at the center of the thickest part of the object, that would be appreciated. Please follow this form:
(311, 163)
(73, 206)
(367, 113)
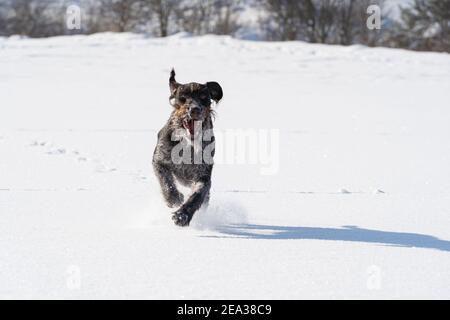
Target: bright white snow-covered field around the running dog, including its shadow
(358, 208)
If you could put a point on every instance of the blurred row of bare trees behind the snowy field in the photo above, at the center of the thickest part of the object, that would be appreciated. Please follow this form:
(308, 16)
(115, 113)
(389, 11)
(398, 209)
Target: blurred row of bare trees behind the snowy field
(422, 25)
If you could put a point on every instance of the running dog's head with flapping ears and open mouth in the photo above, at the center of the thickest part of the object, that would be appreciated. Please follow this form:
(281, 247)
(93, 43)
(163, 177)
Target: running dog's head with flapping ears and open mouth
(192, 101)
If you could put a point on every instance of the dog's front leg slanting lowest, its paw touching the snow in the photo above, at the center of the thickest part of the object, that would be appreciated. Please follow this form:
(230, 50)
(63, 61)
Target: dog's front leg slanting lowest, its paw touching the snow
(200, 193)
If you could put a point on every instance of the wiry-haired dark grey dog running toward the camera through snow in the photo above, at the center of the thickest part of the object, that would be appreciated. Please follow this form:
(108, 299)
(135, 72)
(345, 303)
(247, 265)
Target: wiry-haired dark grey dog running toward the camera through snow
(192, 103)
